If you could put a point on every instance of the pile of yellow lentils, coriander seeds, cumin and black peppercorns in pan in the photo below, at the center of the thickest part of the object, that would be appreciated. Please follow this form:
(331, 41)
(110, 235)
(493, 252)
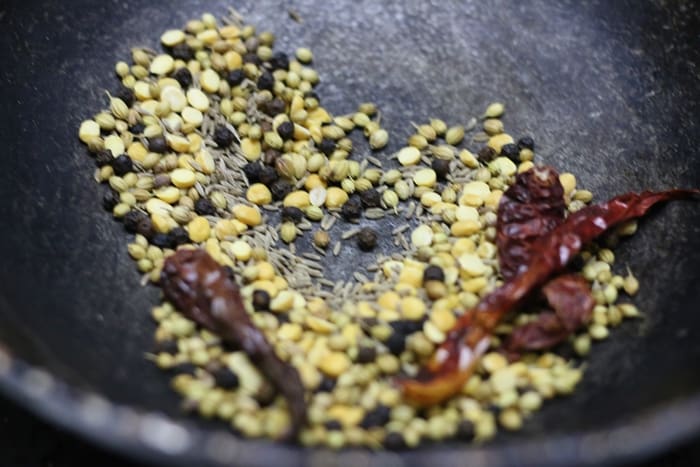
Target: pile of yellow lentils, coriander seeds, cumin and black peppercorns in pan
(219, 144)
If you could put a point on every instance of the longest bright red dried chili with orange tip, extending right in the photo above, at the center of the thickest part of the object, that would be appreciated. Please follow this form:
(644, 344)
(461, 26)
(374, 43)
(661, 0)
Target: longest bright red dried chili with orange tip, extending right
(455, 359)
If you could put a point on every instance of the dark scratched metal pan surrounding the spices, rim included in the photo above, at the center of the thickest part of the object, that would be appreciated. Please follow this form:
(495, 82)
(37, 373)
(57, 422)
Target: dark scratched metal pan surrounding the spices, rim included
(608, 90)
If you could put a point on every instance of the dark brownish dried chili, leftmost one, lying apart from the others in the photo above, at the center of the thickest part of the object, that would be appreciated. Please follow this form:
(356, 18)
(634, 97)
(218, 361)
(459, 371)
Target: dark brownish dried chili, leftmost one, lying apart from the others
(203, 291)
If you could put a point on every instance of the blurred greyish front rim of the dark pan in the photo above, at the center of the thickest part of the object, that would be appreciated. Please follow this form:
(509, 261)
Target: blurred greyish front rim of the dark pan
(131, 432)
